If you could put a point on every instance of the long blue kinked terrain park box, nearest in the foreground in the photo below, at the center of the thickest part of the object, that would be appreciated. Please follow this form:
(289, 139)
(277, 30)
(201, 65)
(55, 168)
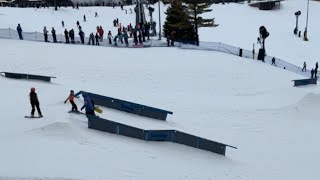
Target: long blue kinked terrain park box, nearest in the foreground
(173, 136)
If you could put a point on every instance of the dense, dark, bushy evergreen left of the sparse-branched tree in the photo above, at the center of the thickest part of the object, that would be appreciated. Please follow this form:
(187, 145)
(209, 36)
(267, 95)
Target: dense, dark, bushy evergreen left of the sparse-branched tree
(177, 21)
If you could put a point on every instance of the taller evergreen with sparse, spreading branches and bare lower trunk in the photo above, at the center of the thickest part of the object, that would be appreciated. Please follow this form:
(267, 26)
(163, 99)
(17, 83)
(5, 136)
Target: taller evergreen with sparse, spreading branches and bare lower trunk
(195, 9)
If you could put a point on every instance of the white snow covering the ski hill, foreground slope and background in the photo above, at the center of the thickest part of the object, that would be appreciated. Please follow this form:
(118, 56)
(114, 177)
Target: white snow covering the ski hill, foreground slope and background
(221, 97)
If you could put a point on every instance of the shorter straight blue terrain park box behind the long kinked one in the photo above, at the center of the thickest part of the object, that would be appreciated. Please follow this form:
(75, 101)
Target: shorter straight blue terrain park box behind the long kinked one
(127, 106)
